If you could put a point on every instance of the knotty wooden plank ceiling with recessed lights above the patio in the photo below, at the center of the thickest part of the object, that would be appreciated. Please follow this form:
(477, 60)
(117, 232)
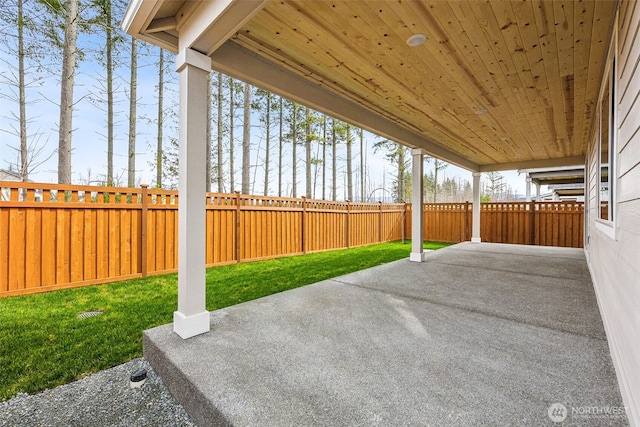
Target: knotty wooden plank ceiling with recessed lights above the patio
(532, 67)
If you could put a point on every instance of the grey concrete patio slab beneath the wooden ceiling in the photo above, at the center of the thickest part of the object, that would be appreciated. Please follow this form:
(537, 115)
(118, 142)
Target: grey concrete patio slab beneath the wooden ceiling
(479, 334)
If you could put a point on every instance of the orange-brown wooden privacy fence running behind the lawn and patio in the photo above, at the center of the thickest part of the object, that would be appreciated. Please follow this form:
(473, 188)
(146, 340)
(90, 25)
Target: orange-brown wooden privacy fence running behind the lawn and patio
(54, 237)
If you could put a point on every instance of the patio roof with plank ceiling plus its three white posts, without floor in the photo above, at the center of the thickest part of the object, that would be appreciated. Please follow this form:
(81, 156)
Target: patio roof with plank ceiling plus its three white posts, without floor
(486, 86)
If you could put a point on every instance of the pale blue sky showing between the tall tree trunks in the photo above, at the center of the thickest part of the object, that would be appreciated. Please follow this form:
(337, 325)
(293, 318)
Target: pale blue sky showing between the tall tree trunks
(89, 140)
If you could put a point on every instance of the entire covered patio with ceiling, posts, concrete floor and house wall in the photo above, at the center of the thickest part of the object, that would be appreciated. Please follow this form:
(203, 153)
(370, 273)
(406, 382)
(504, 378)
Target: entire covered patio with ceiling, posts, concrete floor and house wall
(478, 334)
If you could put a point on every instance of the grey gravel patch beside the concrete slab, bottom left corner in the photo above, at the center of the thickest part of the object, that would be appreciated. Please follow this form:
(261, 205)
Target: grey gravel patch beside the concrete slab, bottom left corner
(101, 399)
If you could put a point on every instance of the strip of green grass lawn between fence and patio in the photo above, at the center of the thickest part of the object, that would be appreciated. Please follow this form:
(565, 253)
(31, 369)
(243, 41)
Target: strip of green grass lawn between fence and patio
(43, 343)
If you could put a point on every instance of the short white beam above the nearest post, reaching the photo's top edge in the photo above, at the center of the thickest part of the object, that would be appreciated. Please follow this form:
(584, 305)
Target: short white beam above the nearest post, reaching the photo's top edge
(208, 25)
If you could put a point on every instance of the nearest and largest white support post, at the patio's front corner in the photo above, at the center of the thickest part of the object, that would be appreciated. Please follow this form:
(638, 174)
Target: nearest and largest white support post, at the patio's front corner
(192, 318)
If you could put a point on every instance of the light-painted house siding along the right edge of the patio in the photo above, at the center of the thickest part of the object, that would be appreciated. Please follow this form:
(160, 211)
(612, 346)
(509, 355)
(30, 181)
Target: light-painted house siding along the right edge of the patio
(615, 262)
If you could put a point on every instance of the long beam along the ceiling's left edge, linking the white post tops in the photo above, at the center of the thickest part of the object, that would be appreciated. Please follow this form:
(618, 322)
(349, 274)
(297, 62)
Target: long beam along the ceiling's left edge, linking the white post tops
(239, 62)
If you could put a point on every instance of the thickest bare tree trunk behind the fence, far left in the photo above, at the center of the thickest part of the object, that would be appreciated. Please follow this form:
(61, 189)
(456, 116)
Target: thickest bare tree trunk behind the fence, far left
(66, 91)
